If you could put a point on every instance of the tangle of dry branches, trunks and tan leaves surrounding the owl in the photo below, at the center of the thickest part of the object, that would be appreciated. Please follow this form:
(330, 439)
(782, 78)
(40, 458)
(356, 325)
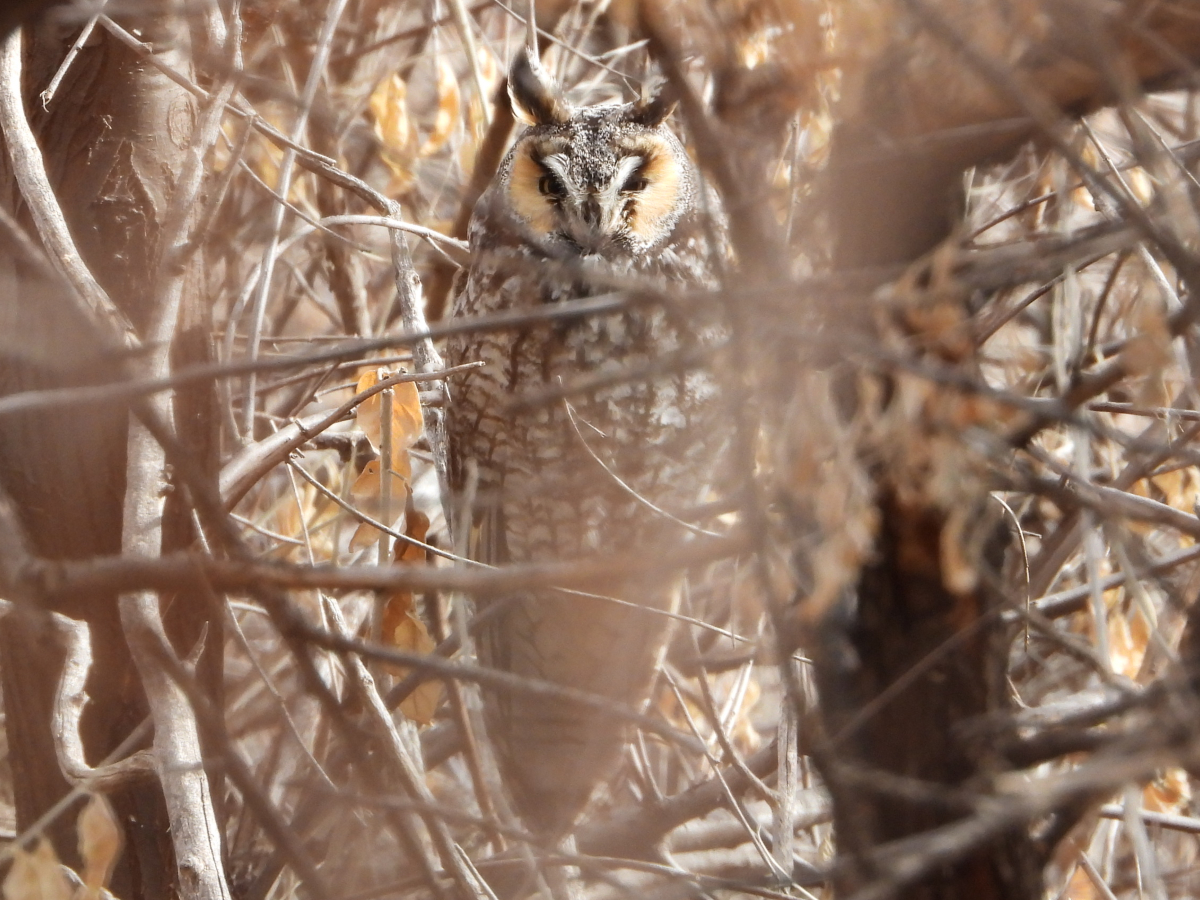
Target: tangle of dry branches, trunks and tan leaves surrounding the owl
(939, 638)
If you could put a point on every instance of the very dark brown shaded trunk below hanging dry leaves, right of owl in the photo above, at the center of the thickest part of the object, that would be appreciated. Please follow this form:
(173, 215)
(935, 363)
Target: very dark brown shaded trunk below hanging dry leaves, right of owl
(950, 656)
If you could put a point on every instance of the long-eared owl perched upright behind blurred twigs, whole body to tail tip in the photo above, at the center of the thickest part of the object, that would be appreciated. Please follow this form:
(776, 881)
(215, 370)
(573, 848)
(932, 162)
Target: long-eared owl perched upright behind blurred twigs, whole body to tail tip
(587, 435)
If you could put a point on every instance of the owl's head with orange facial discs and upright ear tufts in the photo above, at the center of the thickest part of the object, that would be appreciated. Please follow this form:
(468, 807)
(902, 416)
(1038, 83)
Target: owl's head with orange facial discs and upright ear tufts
(607, 181)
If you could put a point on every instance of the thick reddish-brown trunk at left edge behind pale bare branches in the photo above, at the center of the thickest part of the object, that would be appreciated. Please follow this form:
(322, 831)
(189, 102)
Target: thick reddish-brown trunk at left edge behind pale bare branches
(113, 141)
